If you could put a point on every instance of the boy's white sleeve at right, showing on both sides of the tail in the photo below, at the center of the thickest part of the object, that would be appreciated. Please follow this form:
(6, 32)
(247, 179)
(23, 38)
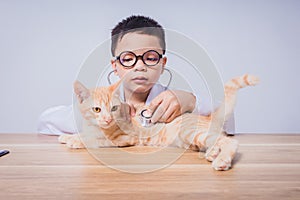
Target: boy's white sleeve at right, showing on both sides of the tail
(204, 107)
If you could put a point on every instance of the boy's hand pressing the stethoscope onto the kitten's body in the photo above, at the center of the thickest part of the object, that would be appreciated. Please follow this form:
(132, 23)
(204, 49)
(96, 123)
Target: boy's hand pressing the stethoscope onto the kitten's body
(170, 104)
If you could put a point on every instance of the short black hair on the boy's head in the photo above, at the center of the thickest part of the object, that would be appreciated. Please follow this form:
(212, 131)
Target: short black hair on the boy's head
(140, 24)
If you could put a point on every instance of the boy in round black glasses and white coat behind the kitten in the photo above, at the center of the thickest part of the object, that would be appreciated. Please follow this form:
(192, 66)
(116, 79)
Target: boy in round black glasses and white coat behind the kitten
(138, 45)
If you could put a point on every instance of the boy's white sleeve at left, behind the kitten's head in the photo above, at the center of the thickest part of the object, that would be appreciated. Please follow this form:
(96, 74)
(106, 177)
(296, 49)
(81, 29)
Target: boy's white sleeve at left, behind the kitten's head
(57, 120)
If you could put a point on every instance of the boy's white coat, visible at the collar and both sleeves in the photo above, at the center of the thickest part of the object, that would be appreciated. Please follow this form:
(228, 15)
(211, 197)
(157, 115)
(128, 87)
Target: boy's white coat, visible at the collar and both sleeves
(60, 119)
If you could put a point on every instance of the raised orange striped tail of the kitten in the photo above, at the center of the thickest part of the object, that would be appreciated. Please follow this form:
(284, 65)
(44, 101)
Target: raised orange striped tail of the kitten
(220, 115)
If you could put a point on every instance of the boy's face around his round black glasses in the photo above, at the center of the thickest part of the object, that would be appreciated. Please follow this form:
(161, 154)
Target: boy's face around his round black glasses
(139, 78)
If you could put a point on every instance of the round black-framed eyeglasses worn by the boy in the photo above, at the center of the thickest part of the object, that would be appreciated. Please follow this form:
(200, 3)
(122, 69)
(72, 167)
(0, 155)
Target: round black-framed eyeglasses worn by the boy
(128, 59)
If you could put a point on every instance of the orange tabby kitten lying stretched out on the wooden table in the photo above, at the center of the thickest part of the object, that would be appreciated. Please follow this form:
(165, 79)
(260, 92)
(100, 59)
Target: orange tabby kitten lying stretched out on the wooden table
(102, 109)
